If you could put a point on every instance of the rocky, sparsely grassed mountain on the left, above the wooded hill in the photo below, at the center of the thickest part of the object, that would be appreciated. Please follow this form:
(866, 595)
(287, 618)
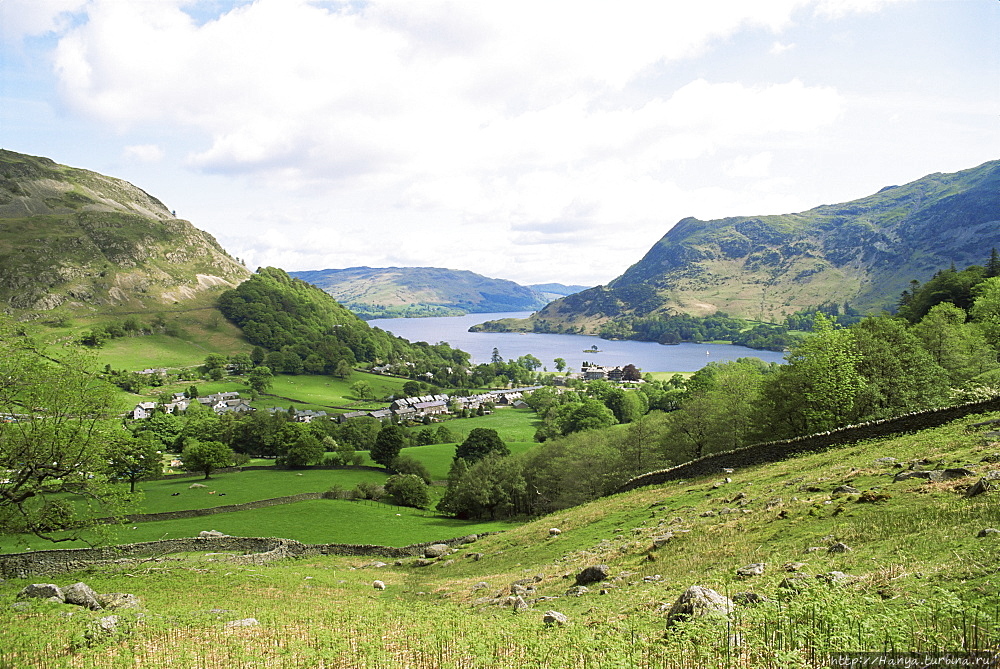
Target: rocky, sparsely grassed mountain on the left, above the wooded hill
(78, 240)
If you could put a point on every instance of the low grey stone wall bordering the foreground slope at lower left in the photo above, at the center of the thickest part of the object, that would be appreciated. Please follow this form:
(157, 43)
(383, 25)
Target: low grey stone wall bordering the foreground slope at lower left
(37, 563)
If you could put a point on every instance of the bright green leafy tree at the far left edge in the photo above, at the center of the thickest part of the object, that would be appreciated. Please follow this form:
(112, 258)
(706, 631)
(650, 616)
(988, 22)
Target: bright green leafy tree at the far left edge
(58, 414)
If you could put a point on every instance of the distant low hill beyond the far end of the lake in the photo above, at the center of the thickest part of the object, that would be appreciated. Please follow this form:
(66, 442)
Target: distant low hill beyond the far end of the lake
(374, 292)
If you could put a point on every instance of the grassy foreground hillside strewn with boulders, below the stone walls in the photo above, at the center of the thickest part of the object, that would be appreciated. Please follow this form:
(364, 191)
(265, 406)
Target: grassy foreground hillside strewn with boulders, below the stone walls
(917, 578)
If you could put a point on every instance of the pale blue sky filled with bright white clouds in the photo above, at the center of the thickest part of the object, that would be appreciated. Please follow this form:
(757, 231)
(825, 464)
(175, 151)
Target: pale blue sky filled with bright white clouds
(530, 140)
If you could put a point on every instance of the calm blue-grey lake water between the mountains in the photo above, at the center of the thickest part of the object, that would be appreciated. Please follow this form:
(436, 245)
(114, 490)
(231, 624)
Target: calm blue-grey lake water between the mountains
(647, 356)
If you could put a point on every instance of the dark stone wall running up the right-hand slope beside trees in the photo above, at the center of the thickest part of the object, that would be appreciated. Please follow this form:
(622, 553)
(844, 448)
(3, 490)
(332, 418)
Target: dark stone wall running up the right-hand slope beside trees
(775, 451)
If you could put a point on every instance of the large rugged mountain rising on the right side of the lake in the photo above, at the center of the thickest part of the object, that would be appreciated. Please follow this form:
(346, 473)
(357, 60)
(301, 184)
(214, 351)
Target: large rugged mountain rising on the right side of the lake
(863, 252)
